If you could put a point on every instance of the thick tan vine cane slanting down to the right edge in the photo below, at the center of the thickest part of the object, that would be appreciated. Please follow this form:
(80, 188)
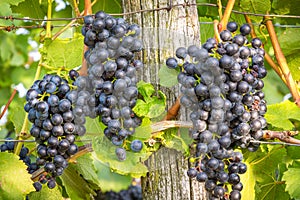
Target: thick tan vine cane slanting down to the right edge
(282, 61)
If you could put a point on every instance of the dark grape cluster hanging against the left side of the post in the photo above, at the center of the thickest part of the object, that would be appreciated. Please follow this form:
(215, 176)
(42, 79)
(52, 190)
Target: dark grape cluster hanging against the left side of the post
(111, 78)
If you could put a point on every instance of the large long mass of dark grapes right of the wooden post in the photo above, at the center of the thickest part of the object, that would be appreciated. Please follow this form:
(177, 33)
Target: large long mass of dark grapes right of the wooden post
(221, 83)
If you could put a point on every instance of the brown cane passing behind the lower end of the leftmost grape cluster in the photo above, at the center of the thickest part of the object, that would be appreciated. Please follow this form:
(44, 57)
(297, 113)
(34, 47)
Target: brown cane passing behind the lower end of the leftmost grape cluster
(82, 150)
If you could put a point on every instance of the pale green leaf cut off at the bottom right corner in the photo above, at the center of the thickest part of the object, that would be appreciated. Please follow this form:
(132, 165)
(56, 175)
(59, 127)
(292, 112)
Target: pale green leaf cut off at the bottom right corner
(291, 178)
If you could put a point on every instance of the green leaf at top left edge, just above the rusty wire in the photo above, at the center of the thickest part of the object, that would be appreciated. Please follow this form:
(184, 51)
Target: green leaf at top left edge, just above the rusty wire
(31, 8)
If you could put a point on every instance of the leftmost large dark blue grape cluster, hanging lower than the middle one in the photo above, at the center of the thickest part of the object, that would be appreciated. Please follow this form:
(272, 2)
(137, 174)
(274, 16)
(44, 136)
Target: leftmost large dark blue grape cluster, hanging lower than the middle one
(55, 124)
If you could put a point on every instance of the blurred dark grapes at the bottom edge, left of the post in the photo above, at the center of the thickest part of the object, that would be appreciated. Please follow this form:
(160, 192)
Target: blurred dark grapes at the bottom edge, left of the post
(132, 193)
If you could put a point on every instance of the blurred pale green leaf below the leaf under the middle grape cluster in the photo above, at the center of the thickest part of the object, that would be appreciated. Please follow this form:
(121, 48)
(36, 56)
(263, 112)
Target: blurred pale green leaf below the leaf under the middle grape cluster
(109, 180)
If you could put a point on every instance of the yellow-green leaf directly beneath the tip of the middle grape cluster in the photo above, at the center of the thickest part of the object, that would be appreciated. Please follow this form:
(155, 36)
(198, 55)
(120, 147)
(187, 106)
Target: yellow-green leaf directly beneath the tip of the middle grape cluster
(105, 152)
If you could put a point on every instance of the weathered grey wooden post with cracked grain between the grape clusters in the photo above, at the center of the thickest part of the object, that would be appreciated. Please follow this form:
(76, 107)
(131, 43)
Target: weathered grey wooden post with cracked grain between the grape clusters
(163, 31)
